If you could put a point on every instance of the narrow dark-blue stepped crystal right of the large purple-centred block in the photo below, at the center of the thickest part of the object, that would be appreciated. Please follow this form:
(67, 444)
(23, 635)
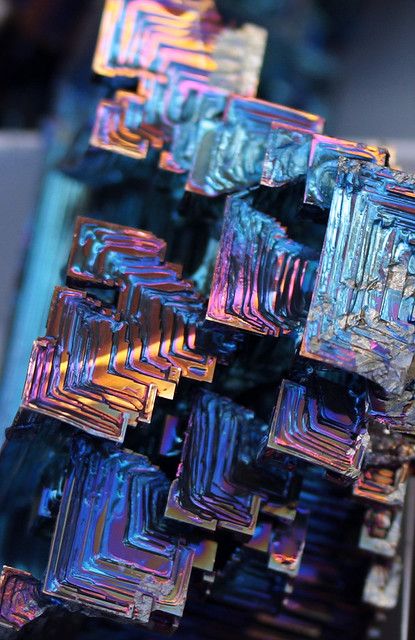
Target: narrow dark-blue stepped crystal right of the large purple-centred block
(208, 492)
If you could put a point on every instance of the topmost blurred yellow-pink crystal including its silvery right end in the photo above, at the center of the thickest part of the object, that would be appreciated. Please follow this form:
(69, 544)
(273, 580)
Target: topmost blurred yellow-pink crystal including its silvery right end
(158, 34)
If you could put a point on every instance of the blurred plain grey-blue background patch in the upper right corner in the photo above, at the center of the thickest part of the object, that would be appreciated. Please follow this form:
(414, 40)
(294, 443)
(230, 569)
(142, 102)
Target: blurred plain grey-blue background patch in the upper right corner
(375, 90)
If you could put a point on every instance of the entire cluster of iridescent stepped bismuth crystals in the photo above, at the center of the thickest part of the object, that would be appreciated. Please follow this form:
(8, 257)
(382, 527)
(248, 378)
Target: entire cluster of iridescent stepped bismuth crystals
(145, 442)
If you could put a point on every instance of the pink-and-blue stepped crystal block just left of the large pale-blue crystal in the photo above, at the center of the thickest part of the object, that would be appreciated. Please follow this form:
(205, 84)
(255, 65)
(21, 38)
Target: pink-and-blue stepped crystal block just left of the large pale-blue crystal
(263, 280)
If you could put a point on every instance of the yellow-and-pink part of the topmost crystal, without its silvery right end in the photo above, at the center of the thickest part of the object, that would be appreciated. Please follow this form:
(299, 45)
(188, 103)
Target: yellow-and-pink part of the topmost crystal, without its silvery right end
(152, 35)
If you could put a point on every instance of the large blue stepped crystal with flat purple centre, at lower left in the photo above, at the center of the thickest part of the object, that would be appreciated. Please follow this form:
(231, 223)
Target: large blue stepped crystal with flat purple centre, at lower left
(110, 550)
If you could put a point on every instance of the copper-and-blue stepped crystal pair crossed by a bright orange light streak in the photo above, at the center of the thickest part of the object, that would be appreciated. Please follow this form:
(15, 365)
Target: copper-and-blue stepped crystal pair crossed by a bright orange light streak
(100, 367)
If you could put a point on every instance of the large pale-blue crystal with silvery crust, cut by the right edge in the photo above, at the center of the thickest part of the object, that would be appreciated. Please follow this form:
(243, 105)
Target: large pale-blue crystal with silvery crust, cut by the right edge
(361, 315)
